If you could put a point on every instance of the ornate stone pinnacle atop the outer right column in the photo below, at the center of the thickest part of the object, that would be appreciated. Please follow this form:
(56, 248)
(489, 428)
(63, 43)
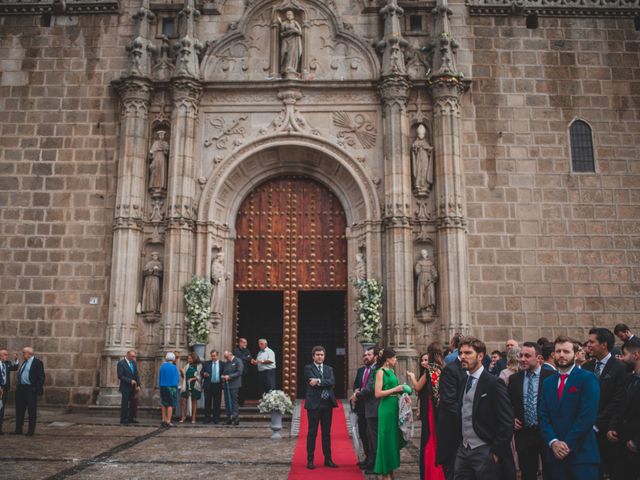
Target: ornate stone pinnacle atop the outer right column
(443, 47)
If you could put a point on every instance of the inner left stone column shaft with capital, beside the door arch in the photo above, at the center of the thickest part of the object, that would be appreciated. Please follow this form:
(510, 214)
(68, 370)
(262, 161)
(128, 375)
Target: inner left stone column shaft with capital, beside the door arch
(181, 210)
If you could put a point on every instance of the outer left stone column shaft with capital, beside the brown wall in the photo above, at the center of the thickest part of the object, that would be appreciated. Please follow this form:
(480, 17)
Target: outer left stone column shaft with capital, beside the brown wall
(135, 95)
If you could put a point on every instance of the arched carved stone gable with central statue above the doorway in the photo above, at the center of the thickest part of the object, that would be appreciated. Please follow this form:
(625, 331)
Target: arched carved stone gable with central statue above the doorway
(258, 46)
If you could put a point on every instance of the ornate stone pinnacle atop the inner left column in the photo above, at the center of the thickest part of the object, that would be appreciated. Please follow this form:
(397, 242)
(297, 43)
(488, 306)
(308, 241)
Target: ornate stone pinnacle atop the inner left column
(188, 47)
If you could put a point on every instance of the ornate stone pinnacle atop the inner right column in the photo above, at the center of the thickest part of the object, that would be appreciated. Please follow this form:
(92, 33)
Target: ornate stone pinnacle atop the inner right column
(392, 44)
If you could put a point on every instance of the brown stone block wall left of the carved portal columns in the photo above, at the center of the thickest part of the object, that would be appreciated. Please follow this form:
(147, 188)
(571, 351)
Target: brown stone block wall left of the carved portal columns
(58, 142)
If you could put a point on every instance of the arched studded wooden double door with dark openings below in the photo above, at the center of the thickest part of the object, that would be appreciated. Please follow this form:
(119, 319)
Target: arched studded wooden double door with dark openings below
(290, 277)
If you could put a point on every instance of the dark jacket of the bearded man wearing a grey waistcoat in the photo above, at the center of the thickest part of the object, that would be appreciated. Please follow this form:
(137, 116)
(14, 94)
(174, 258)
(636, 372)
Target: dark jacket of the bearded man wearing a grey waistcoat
(492, 414)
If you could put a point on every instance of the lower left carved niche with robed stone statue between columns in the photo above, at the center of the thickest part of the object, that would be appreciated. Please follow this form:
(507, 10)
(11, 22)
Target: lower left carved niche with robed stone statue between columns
(150, 305)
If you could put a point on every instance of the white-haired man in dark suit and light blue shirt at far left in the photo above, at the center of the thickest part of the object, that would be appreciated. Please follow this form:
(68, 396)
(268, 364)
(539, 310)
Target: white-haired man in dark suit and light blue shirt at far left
(30, 384)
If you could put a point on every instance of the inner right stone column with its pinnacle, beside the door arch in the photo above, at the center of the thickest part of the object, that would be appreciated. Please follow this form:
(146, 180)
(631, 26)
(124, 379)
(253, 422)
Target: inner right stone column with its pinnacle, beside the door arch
(398, 237)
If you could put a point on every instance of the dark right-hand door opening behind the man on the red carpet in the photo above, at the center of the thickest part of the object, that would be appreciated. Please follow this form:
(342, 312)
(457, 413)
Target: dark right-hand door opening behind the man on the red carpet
(321, 321)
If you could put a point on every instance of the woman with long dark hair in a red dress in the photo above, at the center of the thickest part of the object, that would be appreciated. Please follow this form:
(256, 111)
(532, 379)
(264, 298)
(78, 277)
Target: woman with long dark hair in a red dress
(431, 364)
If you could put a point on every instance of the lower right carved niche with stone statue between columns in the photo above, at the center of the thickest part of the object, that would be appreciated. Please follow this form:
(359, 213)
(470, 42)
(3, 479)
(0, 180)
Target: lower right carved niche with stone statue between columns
(426, 282)
